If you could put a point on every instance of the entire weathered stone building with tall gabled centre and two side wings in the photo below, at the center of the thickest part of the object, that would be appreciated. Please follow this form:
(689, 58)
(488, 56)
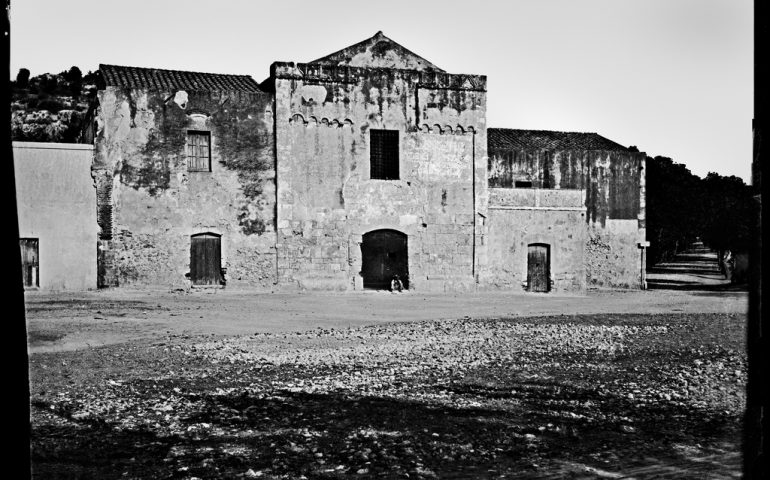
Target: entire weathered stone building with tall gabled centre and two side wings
(346, 171)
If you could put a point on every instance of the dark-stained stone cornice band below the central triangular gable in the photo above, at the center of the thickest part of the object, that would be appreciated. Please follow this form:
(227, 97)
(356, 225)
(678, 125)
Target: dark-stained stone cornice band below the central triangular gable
(345, 74)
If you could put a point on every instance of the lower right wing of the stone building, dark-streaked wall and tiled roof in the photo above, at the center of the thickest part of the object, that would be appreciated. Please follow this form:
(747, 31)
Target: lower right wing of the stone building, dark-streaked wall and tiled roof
(578, 194)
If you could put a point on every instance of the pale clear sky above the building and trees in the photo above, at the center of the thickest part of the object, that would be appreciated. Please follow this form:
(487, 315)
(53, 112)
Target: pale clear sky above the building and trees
(672, 77)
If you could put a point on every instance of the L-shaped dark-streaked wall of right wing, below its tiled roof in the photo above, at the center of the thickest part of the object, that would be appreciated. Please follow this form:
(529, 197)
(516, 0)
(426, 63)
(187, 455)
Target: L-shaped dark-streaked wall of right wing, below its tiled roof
(613, 182)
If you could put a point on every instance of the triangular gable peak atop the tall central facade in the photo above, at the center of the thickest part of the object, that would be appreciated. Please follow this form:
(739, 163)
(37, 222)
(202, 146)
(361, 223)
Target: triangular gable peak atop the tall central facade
(378, 51)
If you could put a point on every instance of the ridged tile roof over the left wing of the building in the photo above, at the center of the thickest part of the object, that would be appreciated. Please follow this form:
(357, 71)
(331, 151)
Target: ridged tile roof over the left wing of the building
(159, 79)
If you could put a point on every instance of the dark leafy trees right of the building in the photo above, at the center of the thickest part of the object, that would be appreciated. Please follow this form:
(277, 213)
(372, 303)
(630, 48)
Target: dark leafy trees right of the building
(683, 207)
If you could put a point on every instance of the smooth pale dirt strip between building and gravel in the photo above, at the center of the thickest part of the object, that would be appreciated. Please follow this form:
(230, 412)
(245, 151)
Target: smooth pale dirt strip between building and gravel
(58, 322)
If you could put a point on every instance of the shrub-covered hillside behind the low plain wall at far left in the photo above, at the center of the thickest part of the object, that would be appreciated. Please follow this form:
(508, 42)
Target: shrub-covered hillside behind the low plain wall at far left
(50, 107)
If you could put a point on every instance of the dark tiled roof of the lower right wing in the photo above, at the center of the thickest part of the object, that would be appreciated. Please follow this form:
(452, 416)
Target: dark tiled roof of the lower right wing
(511, 139)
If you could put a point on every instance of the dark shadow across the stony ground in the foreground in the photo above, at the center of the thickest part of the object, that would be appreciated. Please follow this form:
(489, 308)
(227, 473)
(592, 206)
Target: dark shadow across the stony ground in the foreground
(540, 430)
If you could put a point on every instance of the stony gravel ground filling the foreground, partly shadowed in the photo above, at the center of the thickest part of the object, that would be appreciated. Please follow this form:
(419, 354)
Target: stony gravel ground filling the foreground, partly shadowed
(578, 396)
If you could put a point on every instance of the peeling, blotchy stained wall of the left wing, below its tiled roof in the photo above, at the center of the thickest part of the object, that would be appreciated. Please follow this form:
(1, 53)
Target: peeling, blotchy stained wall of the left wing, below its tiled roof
(150, 204)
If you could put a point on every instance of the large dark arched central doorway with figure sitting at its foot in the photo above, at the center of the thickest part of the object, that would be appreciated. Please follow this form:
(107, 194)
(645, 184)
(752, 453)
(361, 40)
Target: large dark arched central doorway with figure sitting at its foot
(384, 255)
